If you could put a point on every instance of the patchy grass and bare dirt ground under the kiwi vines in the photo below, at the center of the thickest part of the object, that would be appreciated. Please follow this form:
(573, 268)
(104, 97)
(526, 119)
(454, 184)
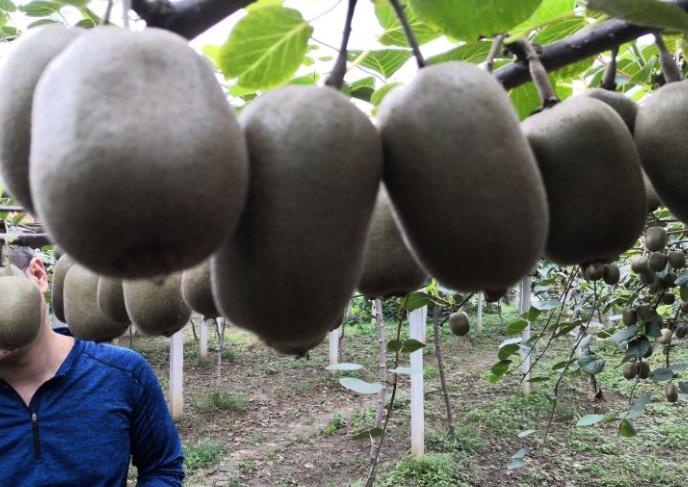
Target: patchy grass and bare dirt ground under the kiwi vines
(279, 421)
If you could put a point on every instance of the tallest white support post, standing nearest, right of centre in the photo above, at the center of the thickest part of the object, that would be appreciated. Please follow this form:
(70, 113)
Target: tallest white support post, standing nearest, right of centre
(417, 320)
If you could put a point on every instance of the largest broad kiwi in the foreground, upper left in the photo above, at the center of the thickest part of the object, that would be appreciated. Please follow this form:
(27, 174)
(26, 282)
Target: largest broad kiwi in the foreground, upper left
(121, 146)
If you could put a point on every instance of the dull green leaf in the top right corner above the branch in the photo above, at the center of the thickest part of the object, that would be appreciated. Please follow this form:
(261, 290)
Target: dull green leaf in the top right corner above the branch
(653, 13)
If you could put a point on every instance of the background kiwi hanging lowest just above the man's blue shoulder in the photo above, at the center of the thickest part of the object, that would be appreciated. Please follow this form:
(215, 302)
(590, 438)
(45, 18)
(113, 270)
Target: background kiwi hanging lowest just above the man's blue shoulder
(81, 307)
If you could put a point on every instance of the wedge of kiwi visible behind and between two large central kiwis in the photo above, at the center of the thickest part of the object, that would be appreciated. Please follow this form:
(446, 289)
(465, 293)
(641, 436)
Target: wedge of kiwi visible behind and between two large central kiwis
(389, 269)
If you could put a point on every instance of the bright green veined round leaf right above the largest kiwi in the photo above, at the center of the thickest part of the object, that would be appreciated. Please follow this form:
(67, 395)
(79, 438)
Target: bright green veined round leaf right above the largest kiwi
(266, 47)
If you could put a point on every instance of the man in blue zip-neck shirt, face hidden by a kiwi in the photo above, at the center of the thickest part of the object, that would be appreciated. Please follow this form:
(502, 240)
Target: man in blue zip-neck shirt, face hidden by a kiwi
(73, 412)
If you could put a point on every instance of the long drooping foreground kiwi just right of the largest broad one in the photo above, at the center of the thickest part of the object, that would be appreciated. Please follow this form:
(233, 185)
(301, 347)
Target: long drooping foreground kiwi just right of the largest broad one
(296, 257)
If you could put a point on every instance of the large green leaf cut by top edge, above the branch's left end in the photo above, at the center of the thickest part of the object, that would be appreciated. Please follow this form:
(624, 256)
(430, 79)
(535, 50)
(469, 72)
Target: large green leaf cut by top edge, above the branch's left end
(469, 19)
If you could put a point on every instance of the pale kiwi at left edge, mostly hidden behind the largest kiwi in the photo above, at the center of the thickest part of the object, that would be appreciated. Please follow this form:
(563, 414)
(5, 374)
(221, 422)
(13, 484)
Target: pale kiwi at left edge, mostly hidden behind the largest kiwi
(19, 75)
